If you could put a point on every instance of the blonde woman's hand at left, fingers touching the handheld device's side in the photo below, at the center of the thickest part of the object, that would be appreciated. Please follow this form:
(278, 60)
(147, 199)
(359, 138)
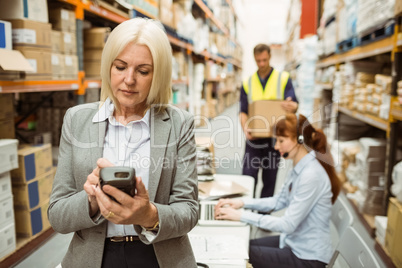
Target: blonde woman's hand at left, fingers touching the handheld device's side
(93, 182)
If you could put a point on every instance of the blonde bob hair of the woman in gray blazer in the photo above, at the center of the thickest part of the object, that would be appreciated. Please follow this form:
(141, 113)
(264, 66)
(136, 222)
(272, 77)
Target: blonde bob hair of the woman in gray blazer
(146, 32)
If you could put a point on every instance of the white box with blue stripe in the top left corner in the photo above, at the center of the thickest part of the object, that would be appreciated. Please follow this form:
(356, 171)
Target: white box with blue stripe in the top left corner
(21, 9)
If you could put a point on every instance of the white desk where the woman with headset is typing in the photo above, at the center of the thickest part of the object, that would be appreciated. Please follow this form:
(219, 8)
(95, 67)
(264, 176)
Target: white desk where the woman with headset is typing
(240, 234)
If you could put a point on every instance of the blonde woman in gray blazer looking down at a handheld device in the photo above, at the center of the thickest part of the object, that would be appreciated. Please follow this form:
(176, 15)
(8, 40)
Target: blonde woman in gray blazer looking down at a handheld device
(132, 125)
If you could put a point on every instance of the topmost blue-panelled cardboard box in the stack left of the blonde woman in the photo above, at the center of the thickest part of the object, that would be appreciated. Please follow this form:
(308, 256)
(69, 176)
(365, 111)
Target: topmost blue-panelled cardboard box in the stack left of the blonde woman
(33, 161)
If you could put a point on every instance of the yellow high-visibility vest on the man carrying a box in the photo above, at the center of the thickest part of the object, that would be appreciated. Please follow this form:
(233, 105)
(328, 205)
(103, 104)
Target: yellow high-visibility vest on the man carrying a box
(274, 89)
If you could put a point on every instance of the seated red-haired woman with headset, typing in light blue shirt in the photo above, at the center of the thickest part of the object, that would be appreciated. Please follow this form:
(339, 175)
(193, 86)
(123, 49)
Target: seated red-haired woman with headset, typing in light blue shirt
(308, 194)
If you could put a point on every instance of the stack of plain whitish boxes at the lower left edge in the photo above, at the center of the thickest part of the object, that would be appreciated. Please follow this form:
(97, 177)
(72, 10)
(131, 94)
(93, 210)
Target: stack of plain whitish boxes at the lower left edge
(8, 156)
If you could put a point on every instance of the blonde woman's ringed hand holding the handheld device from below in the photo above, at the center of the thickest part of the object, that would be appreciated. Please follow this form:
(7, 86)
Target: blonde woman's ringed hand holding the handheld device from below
(127, 210)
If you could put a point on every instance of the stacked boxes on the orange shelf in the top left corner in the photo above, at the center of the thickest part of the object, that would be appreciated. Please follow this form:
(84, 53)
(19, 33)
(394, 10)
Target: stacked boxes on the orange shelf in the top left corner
(51, 55)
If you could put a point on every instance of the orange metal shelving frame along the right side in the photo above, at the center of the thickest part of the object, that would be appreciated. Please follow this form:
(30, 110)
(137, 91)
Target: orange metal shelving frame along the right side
(393, 46)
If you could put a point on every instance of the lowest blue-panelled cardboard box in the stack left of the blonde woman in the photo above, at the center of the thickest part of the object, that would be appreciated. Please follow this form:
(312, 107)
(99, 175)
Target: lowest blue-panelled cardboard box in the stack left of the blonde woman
(31, 222)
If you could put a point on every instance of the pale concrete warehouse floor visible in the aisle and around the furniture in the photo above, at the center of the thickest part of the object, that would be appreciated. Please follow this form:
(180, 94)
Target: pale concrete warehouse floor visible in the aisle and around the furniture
(229, 149)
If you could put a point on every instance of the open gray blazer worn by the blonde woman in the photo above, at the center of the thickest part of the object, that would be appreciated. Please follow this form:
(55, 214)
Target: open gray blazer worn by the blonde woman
(172, 186)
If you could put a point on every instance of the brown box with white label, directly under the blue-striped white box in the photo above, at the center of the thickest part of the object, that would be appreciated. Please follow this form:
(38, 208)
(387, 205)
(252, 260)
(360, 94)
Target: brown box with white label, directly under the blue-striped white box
(28, 32)
